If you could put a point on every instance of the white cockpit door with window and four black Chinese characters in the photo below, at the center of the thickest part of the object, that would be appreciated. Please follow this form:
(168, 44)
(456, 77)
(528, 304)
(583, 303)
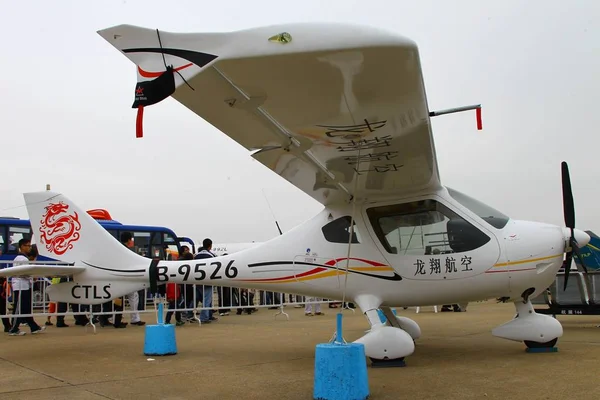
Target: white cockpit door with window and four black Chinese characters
(430, 239)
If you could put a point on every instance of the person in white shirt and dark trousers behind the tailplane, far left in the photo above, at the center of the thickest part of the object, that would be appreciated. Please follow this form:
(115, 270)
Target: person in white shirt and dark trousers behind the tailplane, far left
(22, 294)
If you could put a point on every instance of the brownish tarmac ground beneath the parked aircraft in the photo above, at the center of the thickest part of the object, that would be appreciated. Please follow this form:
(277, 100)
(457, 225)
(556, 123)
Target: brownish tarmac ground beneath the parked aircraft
(260, 356)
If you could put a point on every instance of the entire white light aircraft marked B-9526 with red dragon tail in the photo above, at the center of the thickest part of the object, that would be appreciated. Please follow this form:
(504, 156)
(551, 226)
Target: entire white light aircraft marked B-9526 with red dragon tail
(339, 111)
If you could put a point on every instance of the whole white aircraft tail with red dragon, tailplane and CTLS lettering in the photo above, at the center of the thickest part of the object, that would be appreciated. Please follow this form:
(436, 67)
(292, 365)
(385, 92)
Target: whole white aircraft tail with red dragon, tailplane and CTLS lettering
(66, 233)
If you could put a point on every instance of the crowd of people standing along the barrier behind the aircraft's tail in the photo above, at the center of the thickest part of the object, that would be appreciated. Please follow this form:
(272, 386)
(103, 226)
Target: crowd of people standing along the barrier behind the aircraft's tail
(178, 296)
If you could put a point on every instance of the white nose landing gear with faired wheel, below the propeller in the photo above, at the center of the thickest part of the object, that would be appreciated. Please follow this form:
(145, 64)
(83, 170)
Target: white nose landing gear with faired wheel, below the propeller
(537, 331)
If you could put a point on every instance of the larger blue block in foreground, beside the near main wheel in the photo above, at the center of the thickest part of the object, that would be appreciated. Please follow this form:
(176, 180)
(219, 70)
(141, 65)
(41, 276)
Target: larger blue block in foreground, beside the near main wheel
(340, 372)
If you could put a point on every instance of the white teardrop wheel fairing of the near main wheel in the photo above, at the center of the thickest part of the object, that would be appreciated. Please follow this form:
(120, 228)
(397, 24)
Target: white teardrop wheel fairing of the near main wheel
(387, 342)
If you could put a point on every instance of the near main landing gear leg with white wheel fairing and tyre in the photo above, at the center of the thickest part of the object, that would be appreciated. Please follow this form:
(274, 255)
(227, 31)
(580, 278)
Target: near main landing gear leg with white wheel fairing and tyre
(386, 346)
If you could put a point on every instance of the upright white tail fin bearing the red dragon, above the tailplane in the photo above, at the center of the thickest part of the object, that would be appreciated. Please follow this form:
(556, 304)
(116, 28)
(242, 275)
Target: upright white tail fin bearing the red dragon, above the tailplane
(65, 232)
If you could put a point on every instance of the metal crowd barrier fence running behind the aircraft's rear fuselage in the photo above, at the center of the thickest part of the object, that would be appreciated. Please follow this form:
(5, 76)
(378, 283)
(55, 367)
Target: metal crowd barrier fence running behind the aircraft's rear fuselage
(185, 304)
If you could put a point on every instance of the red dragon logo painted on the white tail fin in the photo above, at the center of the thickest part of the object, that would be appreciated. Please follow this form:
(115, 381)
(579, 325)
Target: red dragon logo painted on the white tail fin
(59, 229)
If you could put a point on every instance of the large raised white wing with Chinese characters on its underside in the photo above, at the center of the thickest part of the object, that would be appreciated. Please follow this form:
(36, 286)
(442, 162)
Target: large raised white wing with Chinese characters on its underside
(316, 103)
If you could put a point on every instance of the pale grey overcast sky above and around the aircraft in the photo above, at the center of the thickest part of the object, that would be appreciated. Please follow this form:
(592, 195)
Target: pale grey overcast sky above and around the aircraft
(66, 116)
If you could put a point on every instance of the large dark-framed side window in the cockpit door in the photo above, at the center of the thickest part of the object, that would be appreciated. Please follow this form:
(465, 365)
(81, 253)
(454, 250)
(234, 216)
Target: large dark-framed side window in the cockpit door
(424, 227)
